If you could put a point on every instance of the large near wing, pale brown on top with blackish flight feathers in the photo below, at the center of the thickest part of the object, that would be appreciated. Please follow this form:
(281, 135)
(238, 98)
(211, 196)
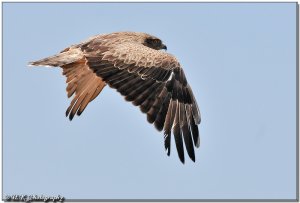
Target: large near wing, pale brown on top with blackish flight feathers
(154, 81)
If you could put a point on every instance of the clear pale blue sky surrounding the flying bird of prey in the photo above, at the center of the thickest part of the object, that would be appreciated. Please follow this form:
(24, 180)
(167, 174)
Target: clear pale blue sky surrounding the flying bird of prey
(239, 58)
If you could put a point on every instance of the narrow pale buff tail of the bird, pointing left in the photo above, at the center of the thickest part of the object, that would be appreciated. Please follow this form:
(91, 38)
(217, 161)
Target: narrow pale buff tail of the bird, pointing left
(60, 59)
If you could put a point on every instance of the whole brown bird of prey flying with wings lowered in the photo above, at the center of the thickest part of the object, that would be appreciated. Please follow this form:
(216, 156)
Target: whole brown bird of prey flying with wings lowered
(136, 66)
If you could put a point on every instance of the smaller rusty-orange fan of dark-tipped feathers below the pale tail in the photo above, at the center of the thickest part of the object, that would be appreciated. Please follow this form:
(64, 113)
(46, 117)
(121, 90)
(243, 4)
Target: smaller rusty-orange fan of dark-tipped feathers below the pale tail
(83, 84)
